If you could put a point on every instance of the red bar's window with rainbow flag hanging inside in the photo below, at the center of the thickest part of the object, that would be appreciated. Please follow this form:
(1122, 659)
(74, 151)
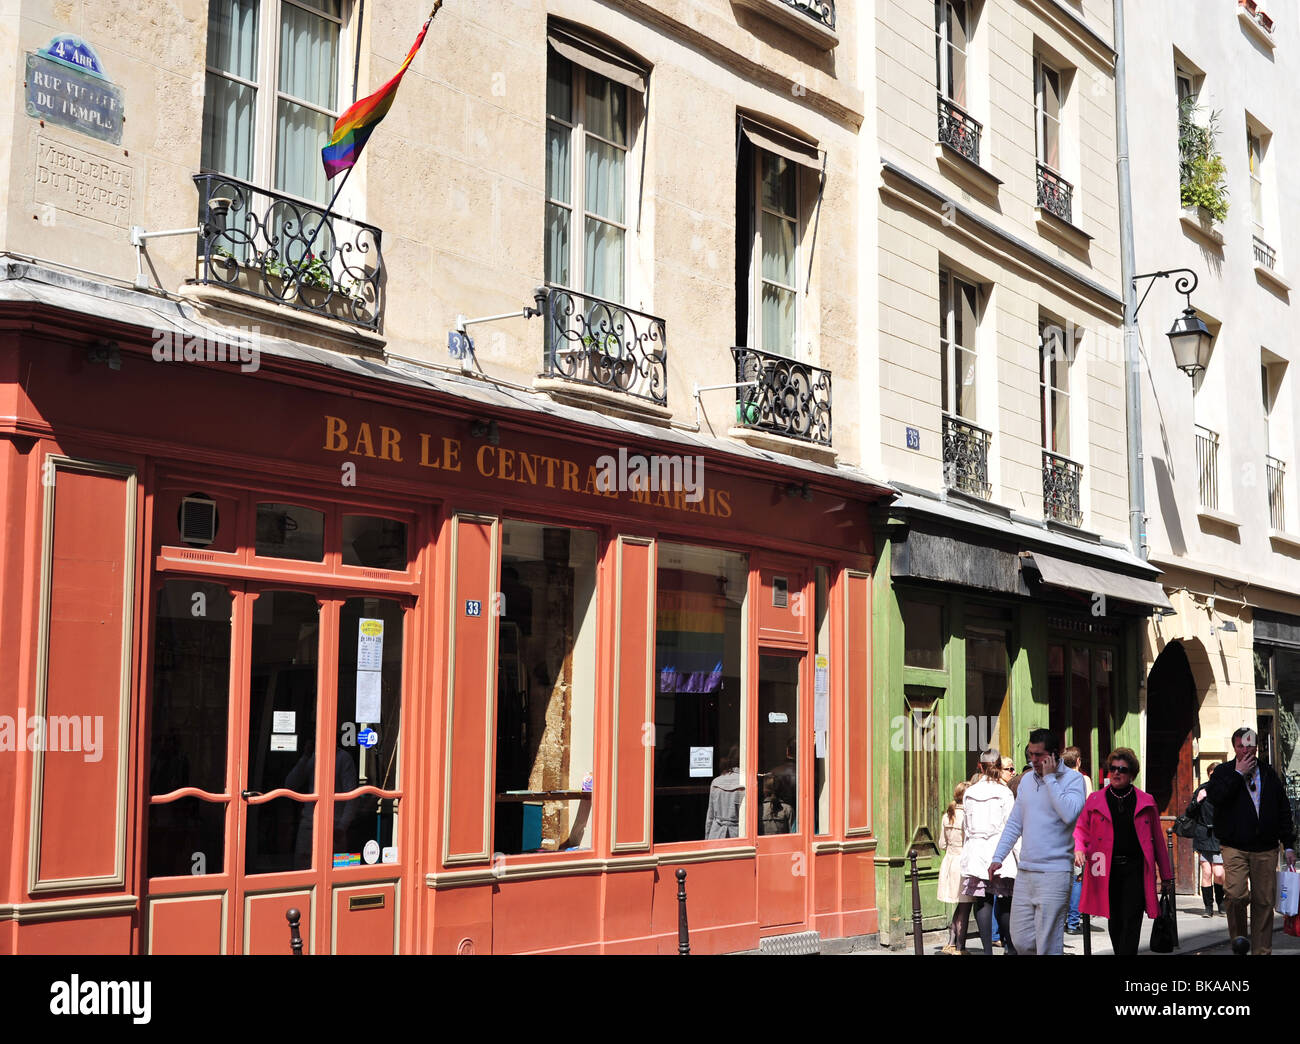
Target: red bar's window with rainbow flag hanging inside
(699, 781)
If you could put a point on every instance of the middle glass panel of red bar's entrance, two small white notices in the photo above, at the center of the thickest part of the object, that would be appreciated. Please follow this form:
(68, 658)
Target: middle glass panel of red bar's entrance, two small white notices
(283, 712)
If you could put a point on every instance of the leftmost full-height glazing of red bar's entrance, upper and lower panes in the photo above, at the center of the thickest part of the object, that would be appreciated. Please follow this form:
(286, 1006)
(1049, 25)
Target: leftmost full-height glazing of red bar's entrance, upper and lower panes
(189, 726)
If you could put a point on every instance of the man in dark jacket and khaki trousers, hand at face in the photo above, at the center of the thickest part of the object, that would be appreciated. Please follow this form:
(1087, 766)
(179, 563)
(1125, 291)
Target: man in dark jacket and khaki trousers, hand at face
(1253, 816)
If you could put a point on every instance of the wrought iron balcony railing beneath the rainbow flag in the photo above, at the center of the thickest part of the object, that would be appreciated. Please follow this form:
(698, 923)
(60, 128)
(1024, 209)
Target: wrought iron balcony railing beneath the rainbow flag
(287, 252)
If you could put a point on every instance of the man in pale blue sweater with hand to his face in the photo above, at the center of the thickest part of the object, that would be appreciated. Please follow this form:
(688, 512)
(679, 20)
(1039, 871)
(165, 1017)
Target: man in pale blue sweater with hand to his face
(1047, 805)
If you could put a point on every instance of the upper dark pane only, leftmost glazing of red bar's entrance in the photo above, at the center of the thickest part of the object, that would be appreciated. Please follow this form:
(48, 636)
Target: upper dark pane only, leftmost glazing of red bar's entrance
(192, 688)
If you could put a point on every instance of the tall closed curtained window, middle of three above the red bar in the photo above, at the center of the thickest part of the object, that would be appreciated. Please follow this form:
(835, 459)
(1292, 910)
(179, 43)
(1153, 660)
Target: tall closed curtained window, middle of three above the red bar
(587, 164)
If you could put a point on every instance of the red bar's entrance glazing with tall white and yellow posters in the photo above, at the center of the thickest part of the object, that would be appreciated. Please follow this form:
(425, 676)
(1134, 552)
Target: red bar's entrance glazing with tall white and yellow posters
(367, 725)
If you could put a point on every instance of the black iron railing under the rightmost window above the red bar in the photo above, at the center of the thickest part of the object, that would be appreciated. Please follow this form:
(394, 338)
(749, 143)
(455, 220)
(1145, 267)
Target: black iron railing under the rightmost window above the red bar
(792, 398)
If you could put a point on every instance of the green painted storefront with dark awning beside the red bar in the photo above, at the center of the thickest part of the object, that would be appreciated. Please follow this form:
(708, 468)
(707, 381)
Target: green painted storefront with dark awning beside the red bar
(970, 651)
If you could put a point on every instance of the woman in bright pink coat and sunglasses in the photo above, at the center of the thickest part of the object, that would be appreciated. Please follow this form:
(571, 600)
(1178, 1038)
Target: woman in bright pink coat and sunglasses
(1119, 844)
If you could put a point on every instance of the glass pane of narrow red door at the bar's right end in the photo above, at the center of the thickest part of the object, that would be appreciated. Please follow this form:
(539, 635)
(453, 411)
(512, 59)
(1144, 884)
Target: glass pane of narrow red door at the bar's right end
(778, 744)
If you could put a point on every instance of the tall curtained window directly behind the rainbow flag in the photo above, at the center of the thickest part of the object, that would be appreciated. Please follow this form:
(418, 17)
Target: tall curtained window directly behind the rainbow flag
(272, 92)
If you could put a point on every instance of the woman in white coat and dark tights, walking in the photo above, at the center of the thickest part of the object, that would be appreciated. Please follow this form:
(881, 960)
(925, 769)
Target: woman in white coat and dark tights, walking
(989, 805)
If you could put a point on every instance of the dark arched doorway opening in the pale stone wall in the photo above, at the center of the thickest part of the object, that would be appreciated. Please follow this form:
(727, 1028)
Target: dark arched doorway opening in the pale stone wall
(1173, 725)
